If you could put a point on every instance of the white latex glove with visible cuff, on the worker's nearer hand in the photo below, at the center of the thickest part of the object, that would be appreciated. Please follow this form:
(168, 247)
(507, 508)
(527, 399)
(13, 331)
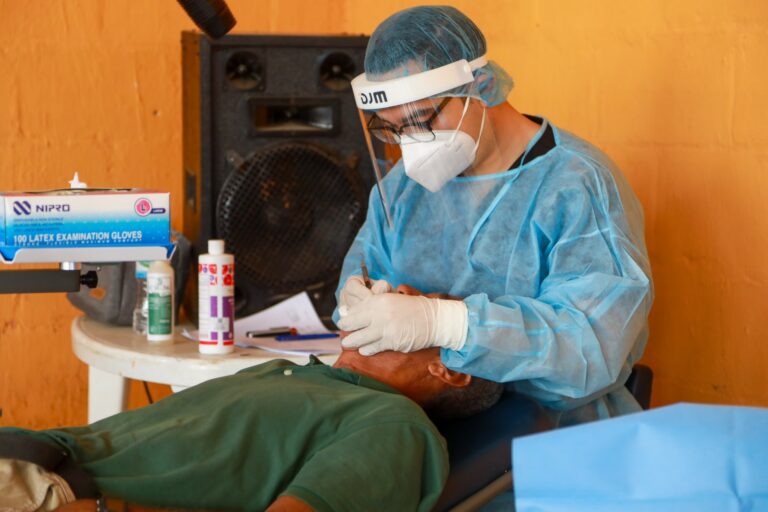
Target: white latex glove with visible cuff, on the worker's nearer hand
(404, 323)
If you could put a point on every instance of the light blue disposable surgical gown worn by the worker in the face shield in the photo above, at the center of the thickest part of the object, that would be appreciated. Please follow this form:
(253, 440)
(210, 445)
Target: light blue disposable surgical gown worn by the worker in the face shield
(550, 259)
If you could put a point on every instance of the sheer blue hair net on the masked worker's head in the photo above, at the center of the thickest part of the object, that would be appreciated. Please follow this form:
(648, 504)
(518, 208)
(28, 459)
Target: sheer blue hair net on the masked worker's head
(428, 37)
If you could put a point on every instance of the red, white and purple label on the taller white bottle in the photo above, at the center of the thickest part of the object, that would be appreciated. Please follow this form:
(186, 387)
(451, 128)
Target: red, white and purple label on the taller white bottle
(216, 303)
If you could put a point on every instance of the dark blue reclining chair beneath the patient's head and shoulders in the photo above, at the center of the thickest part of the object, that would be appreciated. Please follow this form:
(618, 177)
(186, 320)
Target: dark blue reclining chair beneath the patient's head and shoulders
(479, 447)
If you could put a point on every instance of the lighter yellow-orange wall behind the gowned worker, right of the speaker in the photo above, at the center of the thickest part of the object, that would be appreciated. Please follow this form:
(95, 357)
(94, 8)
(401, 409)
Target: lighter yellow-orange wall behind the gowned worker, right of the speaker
(676, 93)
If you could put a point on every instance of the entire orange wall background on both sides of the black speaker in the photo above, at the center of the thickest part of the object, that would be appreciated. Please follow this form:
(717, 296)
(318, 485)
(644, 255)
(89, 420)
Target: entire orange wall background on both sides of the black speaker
(675, 92)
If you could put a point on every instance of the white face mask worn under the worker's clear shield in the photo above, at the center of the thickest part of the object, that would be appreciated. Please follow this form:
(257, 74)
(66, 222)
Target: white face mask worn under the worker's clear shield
(433, 164)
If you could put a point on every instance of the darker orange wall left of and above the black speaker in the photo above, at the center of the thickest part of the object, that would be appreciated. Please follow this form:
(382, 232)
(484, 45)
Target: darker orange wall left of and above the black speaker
(94, 86)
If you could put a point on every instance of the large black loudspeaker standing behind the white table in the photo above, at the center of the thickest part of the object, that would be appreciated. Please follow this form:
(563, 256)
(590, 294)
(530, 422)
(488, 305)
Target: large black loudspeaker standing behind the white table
(275, 161)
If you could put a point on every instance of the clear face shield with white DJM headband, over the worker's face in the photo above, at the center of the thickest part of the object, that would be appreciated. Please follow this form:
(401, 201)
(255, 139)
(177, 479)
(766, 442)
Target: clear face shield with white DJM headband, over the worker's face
(406, 122)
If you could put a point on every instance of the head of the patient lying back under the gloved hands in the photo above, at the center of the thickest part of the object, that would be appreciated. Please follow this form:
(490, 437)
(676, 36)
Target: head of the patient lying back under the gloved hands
(422, 377)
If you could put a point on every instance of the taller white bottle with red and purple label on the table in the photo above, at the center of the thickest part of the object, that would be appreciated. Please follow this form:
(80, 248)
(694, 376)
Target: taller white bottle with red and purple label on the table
(216, 292)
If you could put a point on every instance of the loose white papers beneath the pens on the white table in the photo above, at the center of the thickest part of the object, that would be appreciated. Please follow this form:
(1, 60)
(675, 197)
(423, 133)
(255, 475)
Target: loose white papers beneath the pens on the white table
(296, 312)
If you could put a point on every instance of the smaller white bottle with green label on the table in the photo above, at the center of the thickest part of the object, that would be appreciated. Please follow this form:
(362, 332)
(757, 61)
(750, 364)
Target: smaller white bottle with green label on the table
(160, 290)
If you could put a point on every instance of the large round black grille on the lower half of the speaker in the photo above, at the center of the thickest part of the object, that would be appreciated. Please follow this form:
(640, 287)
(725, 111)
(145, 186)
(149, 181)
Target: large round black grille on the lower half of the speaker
(289, 213)
